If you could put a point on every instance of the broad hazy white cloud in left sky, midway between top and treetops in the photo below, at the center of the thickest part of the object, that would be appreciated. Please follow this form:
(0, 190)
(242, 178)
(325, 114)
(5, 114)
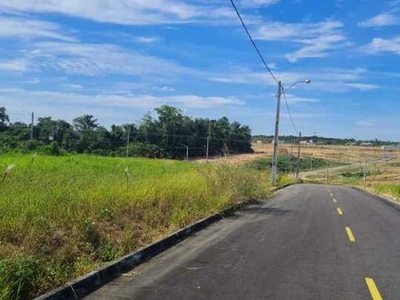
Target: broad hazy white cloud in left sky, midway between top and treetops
(100, 59)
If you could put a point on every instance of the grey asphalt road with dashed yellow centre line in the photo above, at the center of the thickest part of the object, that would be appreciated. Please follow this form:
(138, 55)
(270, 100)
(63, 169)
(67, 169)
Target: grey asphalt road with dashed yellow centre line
(297, 245)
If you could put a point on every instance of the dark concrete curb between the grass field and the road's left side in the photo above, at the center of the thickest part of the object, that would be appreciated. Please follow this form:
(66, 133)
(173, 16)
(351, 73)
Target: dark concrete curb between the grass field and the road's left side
(88, 283)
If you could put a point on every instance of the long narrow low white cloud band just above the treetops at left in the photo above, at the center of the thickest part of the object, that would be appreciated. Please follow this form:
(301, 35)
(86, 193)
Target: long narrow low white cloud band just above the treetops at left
(128, 101)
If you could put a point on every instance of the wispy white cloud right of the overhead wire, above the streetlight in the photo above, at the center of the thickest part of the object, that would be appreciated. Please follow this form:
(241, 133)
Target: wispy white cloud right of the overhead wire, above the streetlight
(318, 39)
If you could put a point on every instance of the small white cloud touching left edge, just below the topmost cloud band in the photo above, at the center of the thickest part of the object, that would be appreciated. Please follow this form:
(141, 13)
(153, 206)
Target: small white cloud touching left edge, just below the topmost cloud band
(22, 28)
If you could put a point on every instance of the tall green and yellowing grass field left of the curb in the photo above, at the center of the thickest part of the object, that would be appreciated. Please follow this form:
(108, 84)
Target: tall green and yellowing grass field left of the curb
(61, 217)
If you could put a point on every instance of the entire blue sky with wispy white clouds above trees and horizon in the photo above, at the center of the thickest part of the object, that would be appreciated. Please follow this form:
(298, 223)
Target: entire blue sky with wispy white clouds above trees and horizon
(119, 59)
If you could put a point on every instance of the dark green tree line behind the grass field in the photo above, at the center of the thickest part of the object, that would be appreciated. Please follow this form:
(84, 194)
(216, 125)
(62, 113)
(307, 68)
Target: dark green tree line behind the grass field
(168, 135)
